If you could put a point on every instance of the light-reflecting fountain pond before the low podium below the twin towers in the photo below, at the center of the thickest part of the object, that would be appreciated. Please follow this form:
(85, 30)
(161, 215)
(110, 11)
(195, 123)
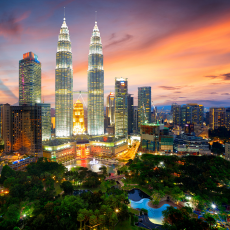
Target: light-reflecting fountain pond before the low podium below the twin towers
(93, 167)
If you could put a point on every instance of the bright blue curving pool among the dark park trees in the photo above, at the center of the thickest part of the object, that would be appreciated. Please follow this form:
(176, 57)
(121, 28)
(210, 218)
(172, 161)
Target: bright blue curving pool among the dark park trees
(155, 214)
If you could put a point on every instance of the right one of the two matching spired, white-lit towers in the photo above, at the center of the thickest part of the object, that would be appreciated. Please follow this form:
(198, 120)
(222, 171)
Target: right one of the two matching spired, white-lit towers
(95, 85)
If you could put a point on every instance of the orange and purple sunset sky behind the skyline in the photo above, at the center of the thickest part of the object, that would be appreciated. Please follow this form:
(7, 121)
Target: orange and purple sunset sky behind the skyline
(181, 48)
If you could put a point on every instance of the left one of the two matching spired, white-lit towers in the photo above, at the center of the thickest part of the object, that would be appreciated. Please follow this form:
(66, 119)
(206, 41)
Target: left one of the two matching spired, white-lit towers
(64, 85)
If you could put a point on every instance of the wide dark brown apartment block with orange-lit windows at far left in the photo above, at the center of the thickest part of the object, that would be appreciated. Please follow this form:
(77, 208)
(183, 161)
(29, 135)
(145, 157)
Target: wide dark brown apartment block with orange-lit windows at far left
(22, 129)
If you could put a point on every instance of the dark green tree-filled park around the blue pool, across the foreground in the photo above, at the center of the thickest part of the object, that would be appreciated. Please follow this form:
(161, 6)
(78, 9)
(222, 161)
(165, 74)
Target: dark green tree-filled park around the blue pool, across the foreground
(46, 196)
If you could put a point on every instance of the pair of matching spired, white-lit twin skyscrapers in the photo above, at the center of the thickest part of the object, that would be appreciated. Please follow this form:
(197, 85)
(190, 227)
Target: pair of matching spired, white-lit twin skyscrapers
(64, 85)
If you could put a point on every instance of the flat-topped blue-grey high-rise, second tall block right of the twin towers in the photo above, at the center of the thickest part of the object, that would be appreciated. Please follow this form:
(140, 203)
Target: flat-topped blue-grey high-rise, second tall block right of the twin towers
(144, 105)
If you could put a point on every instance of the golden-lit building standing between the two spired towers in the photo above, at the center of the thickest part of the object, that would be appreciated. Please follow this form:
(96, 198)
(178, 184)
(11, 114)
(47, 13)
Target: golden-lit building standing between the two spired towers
(78, 118)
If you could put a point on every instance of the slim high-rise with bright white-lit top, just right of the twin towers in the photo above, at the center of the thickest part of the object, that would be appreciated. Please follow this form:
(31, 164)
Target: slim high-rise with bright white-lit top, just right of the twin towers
(121, 107)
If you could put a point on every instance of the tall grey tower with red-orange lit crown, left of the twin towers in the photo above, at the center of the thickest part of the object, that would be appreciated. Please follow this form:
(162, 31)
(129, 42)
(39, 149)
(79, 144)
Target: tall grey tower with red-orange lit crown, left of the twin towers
(29, 79)
